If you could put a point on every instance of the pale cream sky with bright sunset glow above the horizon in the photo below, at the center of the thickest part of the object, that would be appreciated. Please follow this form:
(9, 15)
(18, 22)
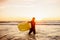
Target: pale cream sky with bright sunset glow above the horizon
(29, 8)
